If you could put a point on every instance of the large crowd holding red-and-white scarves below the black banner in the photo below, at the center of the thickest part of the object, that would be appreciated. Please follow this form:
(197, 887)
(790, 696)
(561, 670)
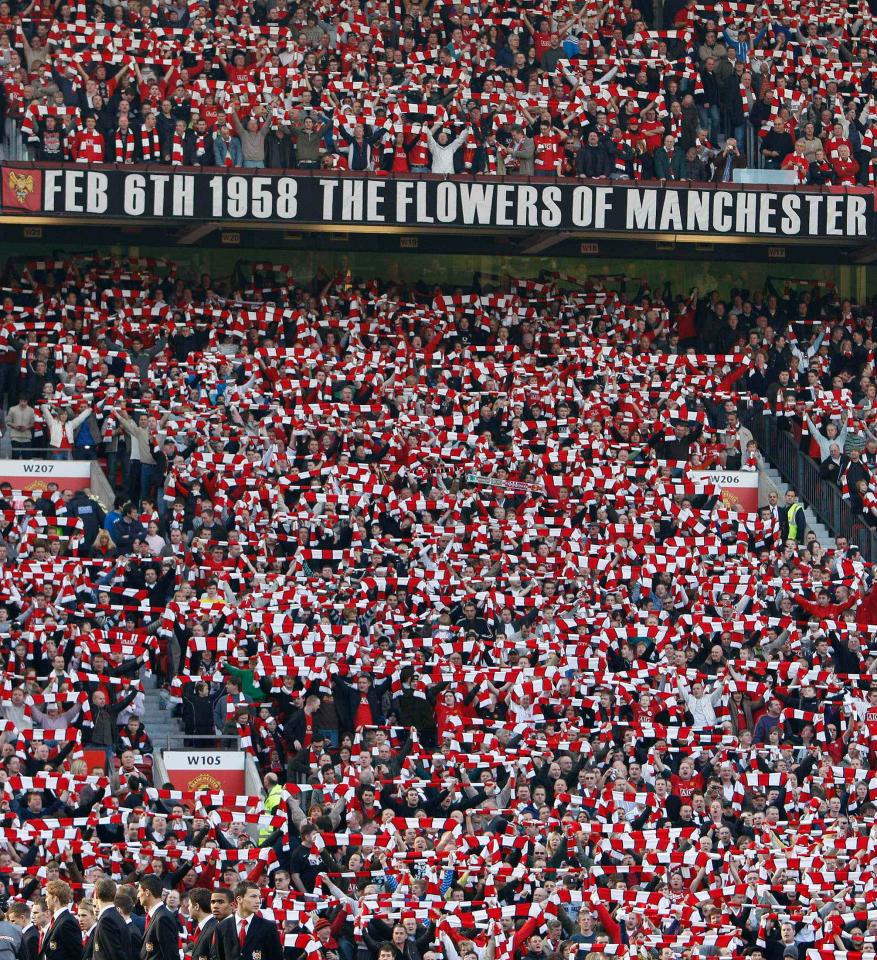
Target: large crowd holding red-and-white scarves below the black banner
(519, 683)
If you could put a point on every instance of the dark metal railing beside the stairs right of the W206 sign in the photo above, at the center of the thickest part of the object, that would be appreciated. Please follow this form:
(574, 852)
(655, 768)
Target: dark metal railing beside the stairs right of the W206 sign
(801, 472)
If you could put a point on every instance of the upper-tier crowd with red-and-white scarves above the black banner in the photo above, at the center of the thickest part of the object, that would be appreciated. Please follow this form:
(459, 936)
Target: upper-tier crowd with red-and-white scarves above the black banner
(687, 90)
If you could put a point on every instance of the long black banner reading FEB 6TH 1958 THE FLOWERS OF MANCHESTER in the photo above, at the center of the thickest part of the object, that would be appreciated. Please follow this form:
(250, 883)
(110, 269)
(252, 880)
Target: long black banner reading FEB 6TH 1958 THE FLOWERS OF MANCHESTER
(493, 204)
